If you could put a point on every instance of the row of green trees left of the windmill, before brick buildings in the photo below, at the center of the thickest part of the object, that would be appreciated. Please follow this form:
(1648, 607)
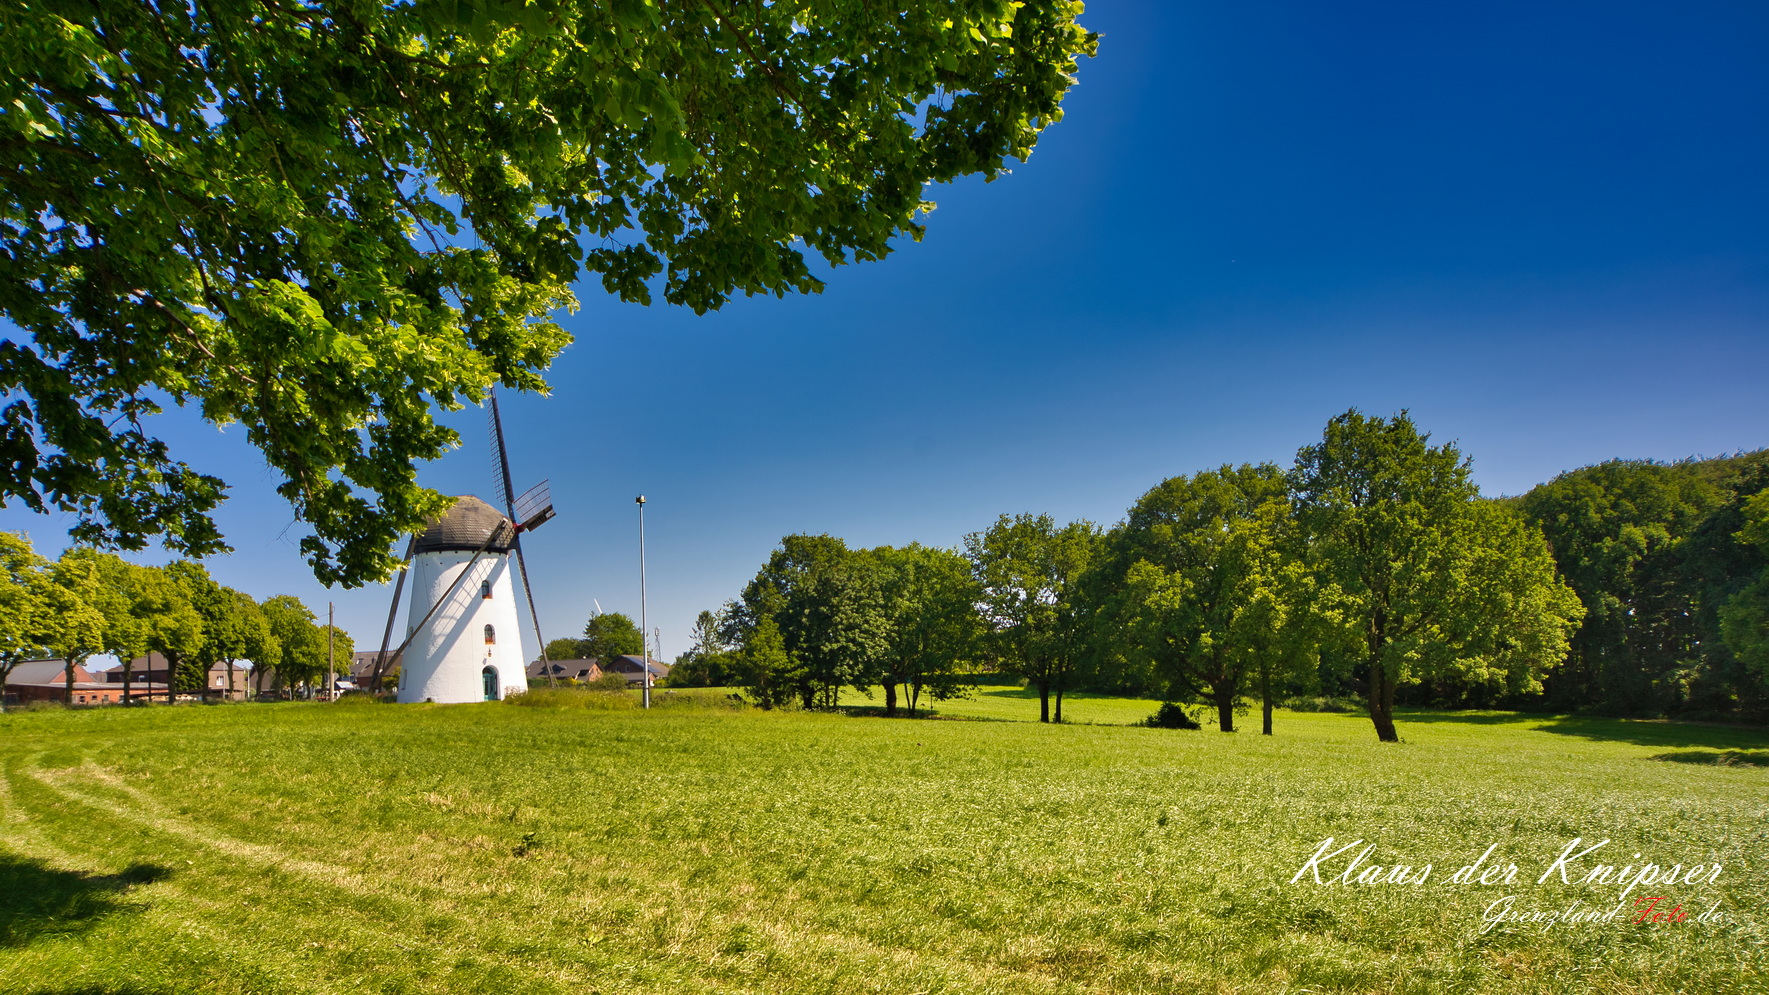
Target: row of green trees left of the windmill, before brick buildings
(89, 603)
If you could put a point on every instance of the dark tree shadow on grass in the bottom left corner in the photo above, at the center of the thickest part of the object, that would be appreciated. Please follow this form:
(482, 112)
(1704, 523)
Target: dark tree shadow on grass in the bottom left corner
(38, 900)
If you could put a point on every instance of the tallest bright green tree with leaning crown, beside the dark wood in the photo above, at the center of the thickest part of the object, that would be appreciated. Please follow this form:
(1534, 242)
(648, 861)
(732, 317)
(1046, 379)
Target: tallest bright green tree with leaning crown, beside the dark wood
(1428, 576)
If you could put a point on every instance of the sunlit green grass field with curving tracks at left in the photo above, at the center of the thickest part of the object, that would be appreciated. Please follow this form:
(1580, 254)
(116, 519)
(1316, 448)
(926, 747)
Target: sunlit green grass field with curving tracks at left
(700, 849)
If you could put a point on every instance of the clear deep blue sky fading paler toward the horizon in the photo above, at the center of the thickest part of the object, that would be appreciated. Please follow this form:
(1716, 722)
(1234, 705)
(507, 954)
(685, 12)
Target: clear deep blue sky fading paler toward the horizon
(1540, 228)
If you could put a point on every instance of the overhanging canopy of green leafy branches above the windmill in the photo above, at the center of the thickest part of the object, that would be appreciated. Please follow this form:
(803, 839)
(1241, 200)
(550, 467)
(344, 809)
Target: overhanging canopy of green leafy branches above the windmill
(326, 219)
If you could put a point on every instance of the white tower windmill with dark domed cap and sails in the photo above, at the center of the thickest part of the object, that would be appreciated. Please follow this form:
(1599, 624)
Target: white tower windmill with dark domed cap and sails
(463, 636)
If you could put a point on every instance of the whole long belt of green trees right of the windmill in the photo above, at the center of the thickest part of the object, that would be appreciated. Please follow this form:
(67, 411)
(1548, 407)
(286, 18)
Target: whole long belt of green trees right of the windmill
(1368, 567)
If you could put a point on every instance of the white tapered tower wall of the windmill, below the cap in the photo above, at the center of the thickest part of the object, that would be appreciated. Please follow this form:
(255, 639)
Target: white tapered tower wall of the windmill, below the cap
(447, 659)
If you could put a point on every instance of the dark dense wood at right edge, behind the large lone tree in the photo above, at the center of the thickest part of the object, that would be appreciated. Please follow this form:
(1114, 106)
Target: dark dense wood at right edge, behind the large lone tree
(1673, 567)
